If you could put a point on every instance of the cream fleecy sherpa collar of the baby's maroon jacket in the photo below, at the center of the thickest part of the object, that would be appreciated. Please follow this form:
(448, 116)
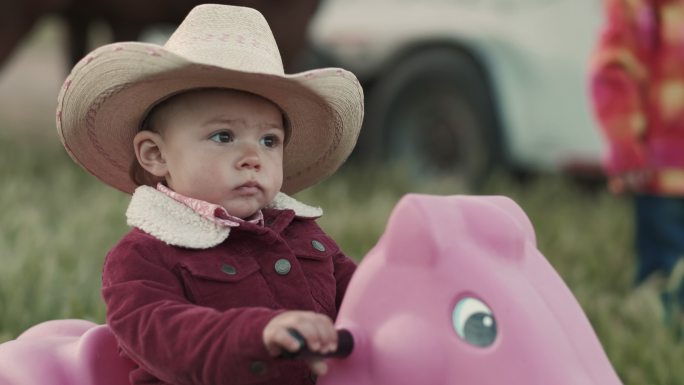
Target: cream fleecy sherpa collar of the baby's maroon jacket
(178, 225)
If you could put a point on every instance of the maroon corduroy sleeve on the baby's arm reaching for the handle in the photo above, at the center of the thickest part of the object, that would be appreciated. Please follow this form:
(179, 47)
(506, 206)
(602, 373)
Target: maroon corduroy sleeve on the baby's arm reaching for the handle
(172, 339)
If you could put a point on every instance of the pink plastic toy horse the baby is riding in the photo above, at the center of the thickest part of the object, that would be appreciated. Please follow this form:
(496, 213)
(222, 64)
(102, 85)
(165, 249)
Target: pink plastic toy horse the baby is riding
(455, 292)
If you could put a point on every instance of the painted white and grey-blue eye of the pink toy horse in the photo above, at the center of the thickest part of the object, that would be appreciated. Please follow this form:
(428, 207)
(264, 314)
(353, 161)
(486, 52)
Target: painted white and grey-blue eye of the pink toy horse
(474, 322)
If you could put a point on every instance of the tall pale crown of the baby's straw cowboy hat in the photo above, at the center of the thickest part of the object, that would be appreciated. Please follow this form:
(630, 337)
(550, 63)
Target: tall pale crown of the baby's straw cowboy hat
(227, 36)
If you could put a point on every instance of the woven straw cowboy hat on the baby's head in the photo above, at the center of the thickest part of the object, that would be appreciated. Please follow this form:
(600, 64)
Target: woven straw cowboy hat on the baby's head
(109, 92)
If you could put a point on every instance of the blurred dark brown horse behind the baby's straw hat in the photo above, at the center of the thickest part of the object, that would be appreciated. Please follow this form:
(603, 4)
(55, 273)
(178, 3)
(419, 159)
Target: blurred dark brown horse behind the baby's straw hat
(128, 18)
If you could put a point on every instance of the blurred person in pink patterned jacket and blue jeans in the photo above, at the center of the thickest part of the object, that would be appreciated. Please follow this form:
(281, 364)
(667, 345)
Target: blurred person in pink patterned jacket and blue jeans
(637, 89)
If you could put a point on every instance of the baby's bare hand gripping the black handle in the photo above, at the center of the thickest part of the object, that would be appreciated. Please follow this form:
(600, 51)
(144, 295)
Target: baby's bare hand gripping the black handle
(317, 329)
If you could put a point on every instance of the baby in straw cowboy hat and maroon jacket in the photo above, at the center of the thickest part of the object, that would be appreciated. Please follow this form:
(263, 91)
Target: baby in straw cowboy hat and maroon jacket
(209, 135)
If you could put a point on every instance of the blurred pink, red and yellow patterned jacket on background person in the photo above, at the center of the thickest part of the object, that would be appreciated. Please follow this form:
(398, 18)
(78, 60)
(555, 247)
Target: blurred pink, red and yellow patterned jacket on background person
(637, 84)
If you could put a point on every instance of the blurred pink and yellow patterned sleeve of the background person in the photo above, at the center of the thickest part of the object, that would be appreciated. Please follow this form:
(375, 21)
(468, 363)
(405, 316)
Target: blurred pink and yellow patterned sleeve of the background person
(619, 81)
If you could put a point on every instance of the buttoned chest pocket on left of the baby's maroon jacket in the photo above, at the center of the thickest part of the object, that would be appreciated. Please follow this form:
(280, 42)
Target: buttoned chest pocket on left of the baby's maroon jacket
(225, 283)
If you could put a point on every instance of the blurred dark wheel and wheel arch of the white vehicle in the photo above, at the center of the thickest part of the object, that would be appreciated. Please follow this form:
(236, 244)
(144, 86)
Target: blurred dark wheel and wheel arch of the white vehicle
(433, 114)
